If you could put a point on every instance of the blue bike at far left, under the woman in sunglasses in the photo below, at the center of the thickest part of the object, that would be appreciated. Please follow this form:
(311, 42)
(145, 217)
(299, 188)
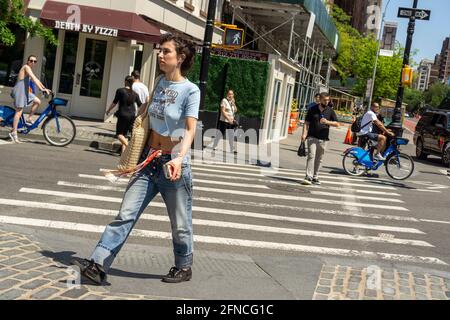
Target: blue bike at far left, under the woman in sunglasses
(58, 130)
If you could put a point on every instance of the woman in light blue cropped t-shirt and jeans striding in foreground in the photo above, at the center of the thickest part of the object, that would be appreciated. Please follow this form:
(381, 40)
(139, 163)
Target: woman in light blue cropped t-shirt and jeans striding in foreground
(173, 113)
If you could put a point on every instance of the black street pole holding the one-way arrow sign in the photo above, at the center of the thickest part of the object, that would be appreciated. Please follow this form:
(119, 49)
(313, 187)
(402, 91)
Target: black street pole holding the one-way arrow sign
(396, 124)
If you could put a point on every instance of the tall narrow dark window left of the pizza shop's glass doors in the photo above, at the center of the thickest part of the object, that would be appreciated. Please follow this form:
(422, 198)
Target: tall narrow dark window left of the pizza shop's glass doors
(69, 61)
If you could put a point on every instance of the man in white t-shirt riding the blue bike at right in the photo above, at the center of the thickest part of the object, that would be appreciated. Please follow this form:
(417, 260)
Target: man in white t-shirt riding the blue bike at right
(368, 130)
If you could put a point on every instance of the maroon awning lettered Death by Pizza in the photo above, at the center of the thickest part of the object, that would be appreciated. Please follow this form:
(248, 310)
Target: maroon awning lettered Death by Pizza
(99, 21)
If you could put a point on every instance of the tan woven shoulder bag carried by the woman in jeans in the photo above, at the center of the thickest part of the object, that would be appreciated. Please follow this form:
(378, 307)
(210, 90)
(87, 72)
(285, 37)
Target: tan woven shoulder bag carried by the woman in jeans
(139, 136)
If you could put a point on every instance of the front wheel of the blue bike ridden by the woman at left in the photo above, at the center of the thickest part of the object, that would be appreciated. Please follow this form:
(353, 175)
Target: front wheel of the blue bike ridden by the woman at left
(59, 131)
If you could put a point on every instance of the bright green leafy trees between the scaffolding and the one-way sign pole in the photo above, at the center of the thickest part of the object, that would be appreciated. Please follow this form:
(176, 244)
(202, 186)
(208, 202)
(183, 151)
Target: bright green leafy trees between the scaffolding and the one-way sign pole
(356, 59)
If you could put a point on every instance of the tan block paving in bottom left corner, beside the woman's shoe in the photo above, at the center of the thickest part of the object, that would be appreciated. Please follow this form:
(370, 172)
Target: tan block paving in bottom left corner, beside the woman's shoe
(27, 274)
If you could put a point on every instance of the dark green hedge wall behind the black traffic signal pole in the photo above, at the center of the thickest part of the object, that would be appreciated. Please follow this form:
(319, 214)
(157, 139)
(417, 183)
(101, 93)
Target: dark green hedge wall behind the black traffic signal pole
(247, 78)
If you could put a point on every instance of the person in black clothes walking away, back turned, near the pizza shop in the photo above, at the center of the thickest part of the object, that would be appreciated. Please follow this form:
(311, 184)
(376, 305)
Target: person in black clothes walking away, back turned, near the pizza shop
(126, 114)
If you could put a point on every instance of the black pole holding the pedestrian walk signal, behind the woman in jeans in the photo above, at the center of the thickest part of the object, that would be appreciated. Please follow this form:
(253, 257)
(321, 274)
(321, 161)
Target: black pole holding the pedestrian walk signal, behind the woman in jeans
(206, 53)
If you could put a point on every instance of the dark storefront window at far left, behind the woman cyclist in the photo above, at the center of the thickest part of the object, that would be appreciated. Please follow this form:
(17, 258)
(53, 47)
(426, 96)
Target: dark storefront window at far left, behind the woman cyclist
(11, 58)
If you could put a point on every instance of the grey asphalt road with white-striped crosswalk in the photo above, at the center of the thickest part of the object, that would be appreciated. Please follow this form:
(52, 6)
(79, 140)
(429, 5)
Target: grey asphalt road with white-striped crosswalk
(239, 209)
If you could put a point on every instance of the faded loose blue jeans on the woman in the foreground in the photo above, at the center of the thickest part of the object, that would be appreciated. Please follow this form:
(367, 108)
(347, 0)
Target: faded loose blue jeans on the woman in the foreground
(141, 190)
